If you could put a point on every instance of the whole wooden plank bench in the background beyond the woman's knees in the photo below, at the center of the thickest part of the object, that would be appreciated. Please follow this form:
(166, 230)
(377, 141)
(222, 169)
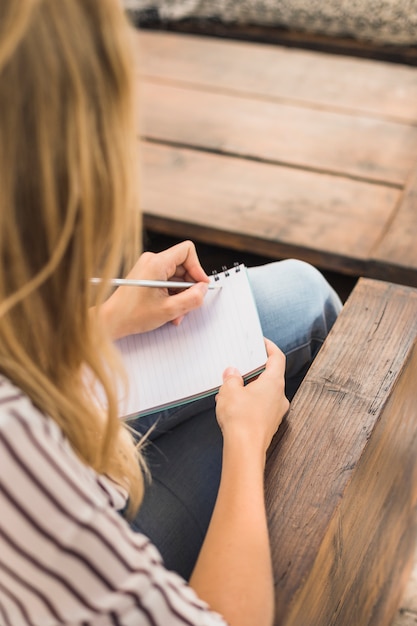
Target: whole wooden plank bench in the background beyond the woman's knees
(280, 152)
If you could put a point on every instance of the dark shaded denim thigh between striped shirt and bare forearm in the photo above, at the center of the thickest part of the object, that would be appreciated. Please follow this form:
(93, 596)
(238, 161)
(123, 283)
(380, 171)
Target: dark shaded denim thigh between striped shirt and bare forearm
(185, 465)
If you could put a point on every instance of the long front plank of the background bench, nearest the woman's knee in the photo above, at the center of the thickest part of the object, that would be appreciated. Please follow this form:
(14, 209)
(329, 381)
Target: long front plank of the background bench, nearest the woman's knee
(265, 209)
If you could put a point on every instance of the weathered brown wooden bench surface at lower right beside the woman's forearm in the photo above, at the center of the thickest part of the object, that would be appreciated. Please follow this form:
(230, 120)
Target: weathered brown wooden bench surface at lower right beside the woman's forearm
(341, 481)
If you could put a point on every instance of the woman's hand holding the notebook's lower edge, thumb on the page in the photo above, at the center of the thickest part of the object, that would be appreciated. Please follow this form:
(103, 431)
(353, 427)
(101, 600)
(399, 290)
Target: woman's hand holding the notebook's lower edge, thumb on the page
(251, 414)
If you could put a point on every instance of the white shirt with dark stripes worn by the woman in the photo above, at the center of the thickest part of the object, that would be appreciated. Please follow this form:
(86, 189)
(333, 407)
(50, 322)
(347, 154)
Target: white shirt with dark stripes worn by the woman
(66, 555)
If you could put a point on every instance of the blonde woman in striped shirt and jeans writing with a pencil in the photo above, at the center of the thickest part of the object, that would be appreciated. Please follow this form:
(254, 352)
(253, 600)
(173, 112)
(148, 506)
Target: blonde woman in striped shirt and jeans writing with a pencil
(70, 474)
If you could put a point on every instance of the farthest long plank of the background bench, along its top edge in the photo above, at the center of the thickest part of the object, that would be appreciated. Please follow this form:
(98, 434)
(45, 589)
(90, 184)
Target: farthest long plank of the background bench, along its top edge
(313, 78)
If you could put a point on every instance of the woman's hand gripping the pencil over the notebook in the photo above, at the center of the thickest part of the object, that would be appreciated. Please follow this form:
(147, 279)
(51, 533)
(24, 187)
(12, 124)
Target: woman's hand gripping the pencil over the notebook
(132, 310)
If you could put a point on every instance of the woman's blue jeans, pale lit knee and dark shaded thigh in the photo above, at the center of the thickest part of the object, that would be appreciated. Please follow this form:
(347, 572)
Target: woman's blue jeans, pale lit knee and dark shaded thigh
(297, 308)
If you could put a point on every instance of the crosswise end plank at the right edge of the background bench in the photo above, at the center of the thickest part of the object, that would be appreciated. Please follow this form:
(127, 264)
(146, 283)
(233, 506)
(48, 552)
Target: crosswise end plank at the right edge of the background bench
(395, 256)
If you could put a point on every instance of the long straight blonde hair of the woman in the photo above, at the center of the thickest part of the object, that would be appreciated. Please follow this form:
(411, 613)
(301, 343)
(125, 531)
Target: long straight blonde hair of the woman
(67, 155)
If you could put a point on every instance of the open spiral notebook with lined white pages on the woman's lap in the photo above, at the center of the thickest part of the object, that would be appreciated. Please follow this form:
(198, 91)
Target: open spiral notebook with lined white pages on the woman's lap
(173, 365)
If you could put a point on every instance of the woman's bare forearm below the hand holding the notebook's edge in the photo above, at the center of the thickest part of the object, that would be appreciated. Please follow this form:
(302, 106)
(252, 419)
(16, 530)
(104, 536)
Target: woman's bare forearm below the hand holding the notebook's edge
(233, 572)
